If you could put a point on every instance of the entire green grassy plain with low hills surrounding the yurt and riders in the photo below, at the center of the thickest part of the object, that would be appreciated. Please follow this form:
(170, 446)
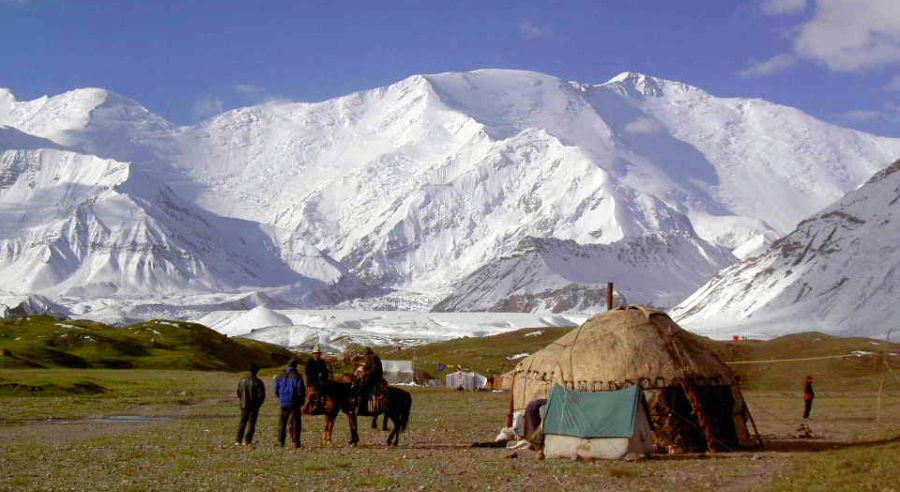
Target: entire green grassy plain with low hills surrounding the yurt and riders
(179, 431)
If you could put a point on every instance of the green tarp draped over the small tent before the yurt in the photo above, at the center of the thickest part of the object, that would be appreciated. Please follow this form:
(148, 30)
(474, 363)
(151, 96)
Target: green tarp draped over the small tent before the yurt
(588, 415)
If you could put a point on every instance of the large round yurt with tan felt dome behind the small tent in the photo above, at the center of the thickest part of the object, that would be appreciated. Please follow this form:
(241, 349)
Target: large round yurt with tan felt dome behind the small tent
(693, 398)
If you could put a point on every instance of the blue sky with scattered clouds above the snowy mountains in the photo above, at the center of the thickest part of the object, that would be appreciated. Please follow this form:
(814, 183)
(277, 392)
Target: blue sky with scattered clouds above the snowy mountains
(836, 59)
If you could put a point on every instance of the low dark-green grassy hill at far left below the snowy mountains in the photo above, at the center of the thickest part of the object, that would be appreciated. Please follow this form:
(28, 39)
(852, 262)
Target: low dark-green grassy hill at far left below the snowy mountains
(43, 342)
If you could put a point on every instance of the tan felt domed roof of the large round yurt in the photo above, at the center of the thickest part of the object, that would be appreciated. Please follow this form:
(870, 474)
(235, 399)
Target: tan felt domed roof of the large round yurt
(624, 346)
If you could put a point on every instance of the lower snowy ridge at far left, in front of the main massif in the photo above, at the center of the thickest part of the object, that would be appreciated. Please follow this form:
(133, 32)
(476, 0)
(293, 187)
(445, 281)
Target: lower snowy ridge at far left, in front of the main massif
(78, 225)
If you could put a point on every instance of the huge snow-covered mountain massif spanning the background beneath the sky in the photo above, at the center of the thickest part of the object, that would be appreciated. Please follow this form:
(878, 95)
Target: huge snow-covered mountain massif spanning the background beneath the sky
(412, 187)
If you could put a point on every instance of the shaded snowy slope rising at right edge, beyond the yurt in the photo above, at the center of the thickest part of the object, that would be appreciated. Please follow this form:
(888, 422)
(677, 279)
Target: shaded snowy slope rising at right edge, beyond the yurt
(838, 272)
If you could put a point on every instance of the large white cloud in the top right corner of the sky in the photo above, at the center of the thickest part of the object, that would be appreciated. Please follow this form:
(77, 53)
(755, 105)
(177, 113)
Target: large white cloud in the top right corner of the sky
(851, 35)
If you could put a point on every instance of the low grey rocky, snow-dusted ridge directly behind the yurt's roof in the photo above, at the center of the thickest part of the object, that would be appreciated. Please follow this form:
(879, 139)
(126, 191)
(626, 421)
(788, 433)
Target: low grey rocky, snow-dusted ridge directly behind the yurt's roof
(559, 276)
